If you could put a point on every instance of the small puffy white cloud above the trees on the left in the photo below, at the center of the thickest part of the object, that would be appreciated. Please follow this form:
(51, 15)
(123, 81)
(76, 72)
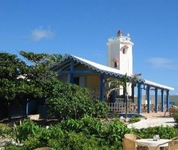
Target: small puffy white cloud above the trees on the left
(40, 33)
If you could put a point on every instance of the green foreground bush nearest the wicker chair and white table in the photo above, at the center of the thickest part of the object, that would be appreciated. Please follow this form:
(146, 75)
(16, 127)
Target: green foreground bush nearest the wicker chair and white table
(110, 133)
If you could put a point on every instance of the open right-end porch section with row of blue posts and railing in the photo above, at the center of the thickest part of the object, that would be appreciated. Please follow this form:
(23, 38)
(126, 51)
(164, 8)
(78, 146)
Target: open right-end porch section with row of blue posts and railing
(147, 103)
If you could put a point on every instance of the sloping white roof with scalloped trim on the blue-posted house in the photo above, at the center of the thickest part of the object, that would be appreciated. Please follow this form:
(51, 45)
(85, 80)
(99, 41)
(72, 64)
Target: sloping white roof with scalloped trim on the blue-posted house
(64, 64)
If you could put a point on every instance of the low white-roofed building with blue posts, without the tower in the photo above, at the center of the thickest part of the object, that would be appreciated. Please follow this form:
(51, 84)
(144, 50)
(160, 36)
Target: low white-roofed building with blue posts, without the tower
(92, 75)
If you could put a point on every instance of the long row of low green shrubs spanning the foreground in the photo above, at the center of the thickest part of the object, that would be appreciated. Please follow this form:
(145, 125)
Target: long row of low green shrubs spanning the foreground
(85, 134)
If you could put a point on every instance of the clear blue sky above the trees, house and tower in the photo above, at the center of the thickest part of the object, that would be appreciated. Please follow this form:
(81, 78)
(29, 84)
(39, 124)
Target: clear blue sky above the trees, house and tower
(82, 28)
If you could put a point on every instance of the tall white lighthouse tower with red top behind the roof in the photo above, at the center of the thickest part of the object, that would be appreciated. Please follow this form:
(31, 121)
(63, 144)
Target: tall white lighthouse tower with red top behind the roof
(120, 54)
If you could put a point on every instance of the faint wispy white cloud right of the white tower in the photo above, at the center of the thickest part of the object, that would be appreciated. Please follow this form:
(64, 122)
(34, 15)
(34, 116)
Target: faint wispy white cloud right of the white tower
(163, 63)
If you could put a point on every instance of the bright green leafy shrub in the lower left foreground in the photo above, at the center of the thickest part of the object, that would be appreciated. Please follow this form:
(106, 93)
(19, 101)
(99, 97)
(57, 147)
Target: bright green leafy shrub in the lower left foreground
(33, 136)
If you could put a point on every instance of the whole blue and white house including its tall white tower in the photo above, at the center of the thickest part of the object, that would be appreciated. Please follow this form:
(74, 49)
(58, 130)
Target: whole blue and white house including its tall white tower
(92, 75)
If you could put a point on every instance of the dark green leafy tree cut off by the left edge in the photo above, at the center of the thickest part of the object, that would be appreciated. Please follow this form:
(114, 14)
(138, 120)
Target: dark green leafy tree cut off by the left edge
(11, 67)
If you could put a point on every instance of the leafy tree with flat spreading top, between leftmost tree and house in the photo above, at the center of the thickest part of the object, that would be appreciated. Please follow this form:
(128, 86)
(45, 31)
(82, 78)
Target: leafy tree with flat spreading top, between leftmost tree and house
(38, 75)
